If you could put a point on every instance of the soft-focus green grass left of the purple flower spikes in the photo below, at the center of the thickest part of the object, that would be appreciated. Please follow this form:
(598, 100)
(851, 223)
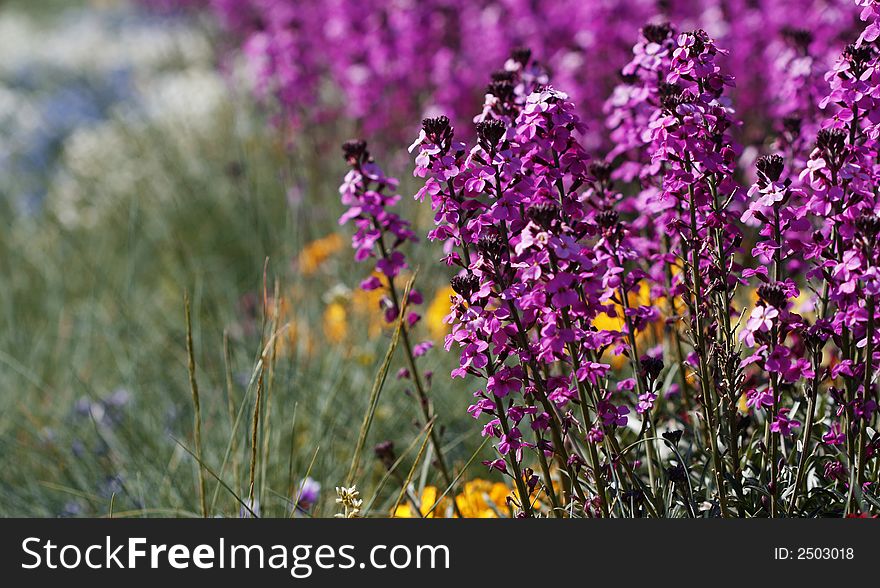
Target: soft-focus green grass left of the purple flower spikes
(87, 311)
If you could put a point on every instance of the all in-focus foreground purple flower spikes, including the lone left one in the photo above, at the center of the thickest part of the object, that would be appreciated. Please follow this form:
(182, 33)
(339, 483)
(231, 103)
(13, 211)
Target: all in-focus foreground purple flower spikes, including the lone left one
(600, 308)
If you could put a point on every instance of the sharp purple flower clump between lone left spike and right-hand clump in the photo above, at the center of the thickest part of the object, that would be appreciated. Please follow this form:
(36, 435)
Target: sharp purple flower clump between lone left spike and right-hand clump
(529, 221)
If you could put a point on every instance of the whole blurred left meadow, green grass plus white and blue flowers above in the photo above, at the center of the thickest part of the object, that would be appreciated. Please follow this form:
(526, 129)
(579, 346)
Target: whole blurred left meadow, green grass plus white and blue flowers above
(134, 166)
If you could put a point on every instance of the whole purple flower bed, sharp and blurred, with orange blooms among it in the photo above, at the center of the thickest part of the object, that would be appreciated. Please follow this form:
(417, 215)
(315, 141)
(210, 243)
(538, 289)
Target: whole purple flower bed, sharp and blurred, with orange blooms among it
(652, 229)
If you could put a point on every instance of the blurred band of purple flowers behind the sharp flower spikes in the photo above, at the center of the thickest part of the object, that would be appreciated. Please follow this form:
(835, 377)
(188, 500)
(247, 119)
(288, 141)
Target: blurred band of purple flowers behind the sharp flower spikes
(422, 58)
